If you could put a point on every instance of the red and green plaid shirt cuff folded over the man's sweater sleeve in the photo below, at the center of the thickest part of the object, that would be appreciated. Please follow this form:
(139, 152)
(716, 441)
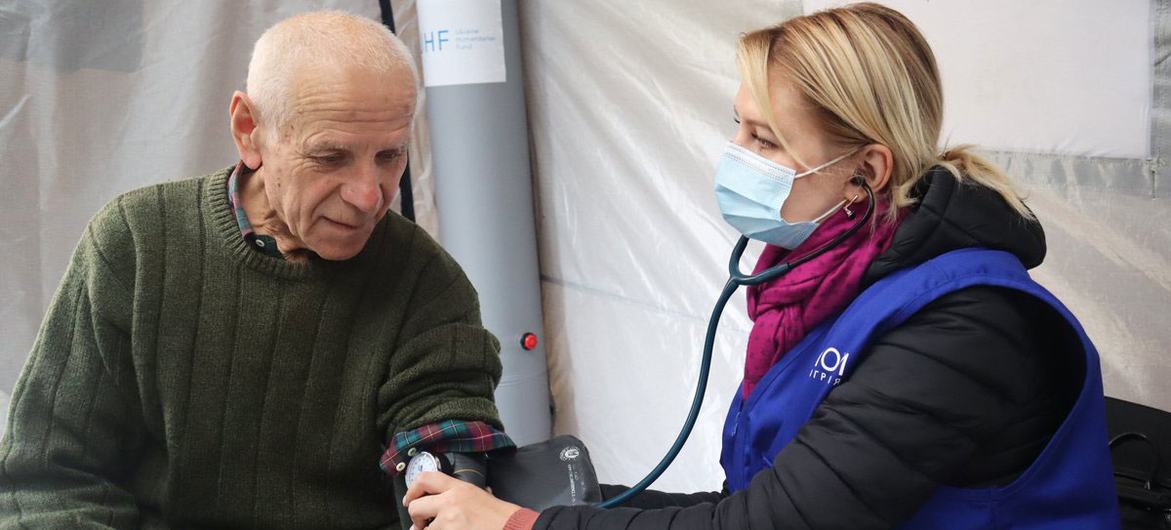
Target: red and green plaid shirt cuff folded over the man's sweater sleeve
(446, 437)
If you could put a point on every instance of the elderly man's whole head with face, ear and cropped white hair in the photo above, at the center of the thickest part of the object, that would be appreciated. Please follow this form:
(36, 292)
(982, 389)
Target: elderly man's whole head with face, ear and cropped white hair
(325, 128)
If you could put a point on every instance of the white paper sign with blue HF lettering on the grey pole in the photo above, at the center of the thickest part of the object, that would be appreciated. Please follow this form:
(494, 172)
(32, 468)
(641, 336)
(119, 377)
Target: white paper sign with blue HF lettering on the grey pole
(462, 42)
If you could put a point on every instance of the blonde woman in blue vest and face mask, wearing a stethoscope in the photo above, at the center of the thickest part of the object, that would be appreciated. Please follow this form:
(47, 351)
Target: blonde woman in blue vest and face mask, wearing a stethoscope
(912, 377)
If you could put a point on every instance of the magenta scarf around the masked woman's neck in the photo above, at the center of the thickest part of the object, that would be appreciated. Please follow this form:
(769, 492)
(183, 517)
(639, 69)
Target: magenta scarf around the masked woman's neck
(786, 309)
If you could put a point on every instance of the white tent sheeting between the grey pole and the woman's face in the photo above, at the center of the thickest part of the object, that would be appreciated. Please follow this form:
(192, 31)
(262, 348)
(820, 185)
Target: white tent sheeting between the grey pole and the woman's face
(629, 107)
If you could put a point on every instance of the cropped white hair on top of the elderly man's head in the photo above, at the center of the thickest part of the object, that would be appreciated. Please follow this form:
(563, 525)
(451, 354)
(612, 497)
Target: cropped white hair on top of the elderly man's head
(313, 44)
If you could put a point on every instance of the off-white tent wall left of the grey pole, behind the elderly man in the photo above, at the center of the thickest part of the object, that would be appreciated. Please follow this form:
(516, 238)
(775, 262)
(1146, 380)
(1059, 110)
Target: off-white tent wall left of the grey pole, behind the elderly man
(98, 99)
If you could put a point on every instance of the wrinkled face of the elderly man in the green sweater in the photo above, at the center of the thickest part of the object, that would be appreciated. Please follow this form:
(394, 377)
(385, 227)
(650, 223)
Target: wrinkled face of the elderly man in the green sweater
(332, 174)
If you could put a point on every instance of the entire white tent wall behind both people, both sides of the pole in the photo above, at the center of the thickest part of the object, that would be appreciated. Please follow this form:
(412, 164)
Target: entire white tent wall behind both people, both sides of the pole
(629, 107)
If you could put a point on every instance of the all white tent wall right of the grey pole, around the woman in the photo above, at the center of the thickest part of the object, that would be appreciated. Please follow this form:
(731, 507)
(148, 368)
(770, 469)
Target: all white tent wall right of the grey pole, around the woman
(631, 105)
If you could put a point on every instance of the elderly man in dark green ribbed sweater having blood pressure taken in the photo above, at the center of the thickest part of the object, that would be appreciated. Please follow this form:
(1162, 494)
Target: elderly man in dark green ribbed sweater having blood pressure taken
(244, 349)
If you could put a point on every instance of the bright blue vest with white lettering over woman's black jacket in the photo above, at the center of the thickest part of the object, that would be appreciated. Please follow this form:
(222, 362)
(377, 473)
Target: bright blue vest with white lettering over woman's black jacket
(1069, 486)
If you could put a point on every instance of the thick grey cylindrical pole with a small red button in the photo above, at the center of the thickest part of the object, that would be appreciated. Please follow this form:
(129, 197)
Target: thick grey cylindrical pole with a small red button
(480, 150)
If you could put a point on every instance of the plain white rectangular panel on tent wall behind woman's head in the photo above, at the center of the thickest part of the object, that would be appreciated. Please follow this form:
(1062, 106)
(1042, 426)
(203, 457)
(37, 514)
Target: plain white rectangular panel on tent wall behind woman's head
(1071, 78)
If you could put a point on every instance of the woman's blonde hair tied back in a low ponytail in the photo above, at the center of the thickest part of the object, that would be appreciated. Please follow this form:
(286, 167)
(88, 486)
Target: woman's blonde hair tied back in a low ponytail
(874, 80)
